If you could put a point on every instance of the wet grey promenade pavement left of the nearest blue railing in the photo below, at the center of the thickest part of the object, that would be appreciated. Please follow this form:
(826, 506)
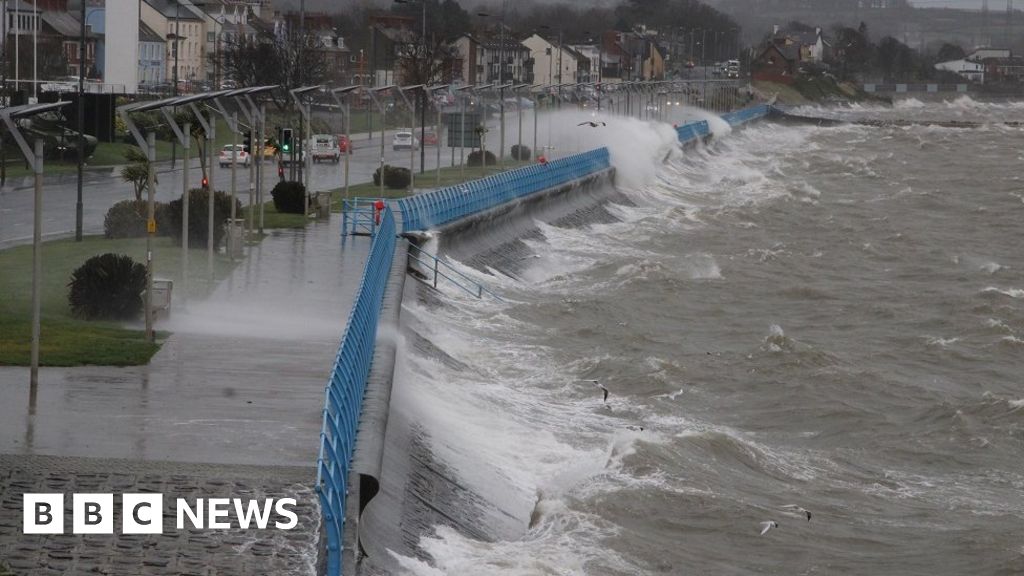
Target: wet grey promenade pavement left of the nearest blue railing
(231, 405)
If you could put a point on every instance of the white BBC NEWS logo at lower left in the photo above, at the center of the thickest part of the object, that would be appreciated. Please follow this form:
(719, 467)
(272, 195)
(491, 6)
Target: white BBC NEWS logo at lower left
(144, 514)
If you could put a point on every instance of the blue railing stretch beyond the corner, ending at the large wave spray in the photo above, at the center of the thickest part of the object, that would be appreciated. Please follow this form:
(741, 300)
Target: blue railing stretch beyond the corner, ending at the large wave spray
(442, 207)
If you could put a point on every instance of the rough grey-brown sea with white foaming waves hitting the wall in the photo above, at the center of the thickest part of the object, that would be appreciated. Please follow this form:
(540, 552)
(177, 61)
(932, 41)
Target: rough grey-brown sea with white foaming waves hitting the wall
(788, 319)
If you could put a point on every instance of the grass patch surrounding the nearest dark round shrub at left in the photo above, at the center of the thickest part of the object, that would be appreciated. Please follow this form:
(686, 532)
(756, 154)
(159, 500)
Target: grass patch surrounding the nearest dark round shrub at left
(66, 341)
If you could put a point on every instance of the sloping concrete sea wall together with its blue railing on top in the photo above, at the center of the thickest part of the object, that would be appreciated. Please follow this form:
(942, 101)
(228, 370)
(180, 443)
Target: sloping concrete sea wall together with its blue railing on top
(380, 489)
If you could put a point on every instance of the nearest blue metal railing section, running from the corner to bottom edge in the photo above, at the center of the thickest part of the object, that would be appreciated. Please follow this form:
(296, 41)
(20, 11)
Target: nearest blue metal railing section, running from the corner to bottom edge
(344, 398)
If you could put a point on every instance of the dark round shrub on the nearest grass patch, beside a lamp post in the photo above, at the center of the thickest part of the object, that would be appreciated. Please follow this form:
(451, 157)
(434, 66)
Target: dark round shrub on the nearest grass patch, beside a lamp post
(108, 286)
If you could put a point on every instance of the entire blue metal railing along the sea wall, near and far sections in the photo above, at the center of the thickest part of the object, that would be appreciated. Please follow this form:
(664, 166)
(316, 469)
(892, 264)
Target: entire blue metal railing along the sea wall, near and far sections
(348, 386)
